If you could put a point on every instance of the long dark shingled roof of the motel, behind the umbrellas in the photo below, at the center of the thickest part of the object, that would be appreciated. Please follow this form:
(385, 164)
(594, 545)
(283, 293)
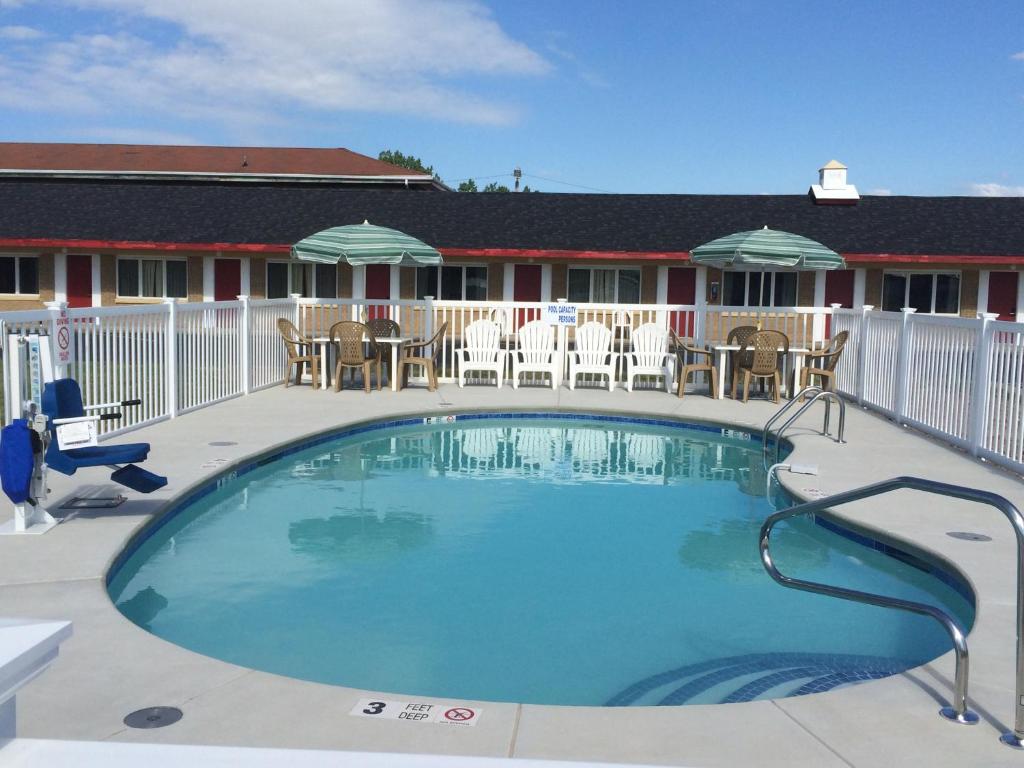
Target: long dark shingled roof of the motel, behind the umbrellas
(283, 215)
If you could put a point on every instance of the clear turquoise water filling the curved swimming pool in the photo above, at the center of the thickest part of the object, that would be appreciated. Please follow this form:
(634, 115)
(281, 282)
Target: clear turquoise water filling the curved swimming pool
(537, 561)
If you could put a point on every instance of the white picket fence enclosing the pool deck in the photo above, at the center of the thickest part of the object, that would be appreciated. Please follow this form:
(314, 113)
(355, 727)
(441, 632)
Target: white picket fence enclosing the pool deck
(959, 379)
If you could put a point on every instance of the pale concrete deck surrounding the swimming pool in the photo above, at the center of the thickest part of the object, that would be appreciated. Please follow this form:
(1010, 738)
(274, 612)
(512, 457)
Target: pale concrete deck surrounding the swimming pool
(111, 667)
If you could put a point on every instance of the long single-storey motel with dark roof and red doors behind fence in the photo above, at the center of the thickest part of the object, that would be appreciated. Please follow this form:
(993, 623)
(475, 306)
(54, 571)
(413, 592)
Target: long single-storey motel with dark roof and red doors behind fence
(107, 225)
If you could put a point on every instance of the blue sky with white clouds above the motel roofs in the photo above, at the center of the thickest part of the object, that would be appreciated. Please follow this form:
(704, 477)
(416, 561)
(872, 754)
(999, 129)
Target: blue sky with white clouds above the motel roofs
(737, 97)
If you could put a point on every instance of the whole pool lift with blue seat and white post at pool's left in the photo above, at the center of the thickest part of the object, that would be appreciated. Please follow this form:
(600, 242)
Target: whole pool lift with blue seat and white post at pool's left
(64, 438)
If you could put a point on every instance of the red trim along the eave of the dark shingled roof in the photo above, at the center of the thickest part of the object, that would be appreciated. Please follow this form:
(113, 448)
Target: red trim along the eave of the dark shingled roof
(516, 253)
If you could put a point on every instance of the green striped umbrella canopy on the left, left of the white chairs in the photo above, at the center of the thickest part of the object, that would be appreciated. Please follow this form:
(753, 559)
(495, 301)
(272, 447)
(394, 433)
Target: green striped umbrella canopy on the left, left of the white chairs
(365, 244)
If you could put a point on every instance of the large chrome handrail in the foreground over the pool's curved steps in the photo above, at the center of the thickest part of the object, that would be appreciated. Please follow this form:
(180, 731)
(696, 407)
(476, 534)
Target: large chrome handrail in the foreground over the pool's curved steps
(959, 712)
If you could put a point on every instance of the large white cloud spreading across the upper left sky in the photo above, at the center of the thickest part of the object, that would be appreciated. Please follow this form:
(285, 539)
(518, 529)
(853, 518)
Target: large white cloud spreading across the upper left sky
(239, 62)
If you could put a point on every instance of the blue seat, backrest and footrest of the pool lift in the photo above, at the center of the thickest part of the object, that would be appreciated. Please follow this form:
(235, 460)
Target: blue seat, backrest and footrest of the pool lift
(63, 400)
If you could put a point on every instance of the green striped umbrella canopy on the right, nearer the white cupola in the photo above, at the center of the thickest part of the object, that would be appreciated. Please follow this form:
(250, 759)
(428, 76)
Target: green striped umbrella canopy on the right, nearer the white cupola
(766, 248)
